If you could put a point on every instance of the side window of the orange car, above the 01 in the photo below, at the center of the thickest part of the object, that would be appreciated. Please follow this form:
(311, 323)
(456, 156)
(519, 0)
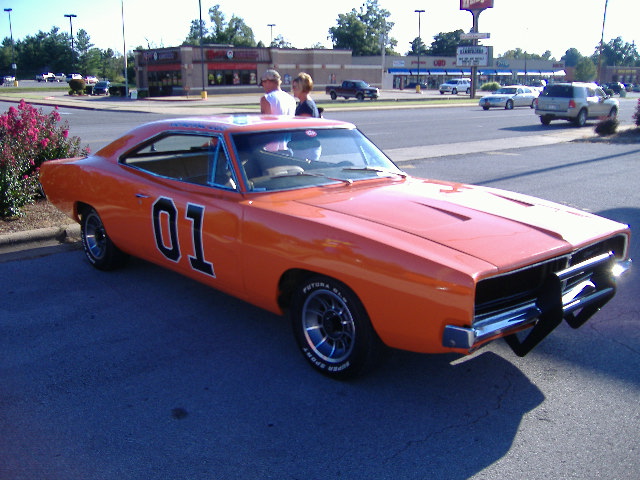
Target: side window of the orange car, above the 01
(197, 159)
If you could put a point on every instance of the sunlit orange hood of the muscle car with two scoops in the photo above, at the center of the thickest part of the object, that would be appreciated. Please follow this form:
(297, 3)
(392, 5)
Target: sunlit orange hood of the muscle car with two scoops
(499, 227)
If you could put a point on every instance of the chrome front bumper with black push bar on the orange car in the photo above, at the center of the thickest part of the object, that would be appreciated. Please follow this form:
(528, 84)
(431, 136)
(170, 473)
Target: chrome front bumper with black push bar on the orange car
(555, 302)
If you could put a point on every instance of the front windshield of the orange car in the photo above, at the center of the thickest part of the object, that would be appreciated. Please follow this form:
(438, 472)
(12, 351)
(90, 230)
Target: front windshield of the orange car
(289, 159)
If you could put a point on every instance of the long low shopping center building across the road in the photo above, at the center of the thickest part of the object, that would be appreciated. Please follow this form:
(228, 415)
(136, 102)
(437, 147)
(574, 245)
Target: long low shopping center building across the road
(193, 70)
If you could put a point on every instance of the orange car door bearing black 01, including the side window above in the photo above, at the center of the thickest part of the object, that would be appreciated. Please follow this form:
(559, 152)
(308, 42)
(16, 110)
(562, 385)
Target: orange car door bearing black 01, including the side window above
(186, 208)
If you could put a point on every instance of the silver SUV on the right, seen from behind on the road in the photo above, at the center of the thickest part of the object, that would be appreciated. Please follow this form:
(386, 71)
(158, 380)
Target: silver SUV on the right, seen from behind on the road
(575, 102)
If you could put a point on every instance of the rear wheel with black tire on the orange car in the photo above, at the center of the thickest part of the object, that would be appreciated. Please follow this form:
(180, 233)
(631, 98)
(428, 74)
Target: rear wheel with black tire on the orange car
(98, 247)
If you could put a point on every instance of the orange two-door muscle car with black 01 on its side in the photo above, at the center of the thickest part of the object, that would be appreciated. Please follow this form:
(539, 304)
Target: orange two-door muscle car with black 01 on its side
(307, 217)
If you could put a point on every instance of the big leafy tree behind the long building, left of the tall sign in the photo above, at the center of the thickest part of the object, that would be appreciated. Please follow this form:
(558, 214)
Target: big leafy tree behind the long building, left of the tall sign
(364, 32)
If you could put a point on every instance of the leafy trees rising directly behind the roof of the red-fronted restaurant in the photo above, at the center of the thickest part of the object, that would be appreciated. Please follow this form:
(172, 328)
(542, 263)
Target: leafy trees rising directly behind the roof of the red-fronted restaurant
(235, 32)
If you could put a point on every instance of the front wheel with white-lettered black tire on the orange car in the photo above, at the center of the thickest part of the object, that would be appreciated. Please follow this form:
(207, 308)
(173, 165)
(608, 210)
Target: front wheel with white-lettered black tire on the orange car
(332, 329)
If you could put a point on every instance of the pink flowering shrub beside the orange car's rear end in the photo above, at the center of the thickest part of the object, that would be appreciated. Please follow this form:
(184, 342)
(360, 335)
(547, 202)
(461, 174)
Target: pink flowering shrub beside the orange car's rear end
(28, 137)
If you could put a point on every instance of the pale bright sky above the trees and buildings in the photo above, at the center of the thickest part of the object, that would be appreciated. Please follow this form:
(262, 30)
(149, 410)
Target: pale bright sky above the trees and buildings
(533, 25)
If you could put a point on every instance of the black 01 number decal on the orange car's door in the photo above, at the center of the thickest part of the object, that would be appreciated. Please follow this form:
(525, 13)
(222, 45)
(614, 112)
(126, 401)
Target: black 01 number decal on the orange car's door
(165, 214)
